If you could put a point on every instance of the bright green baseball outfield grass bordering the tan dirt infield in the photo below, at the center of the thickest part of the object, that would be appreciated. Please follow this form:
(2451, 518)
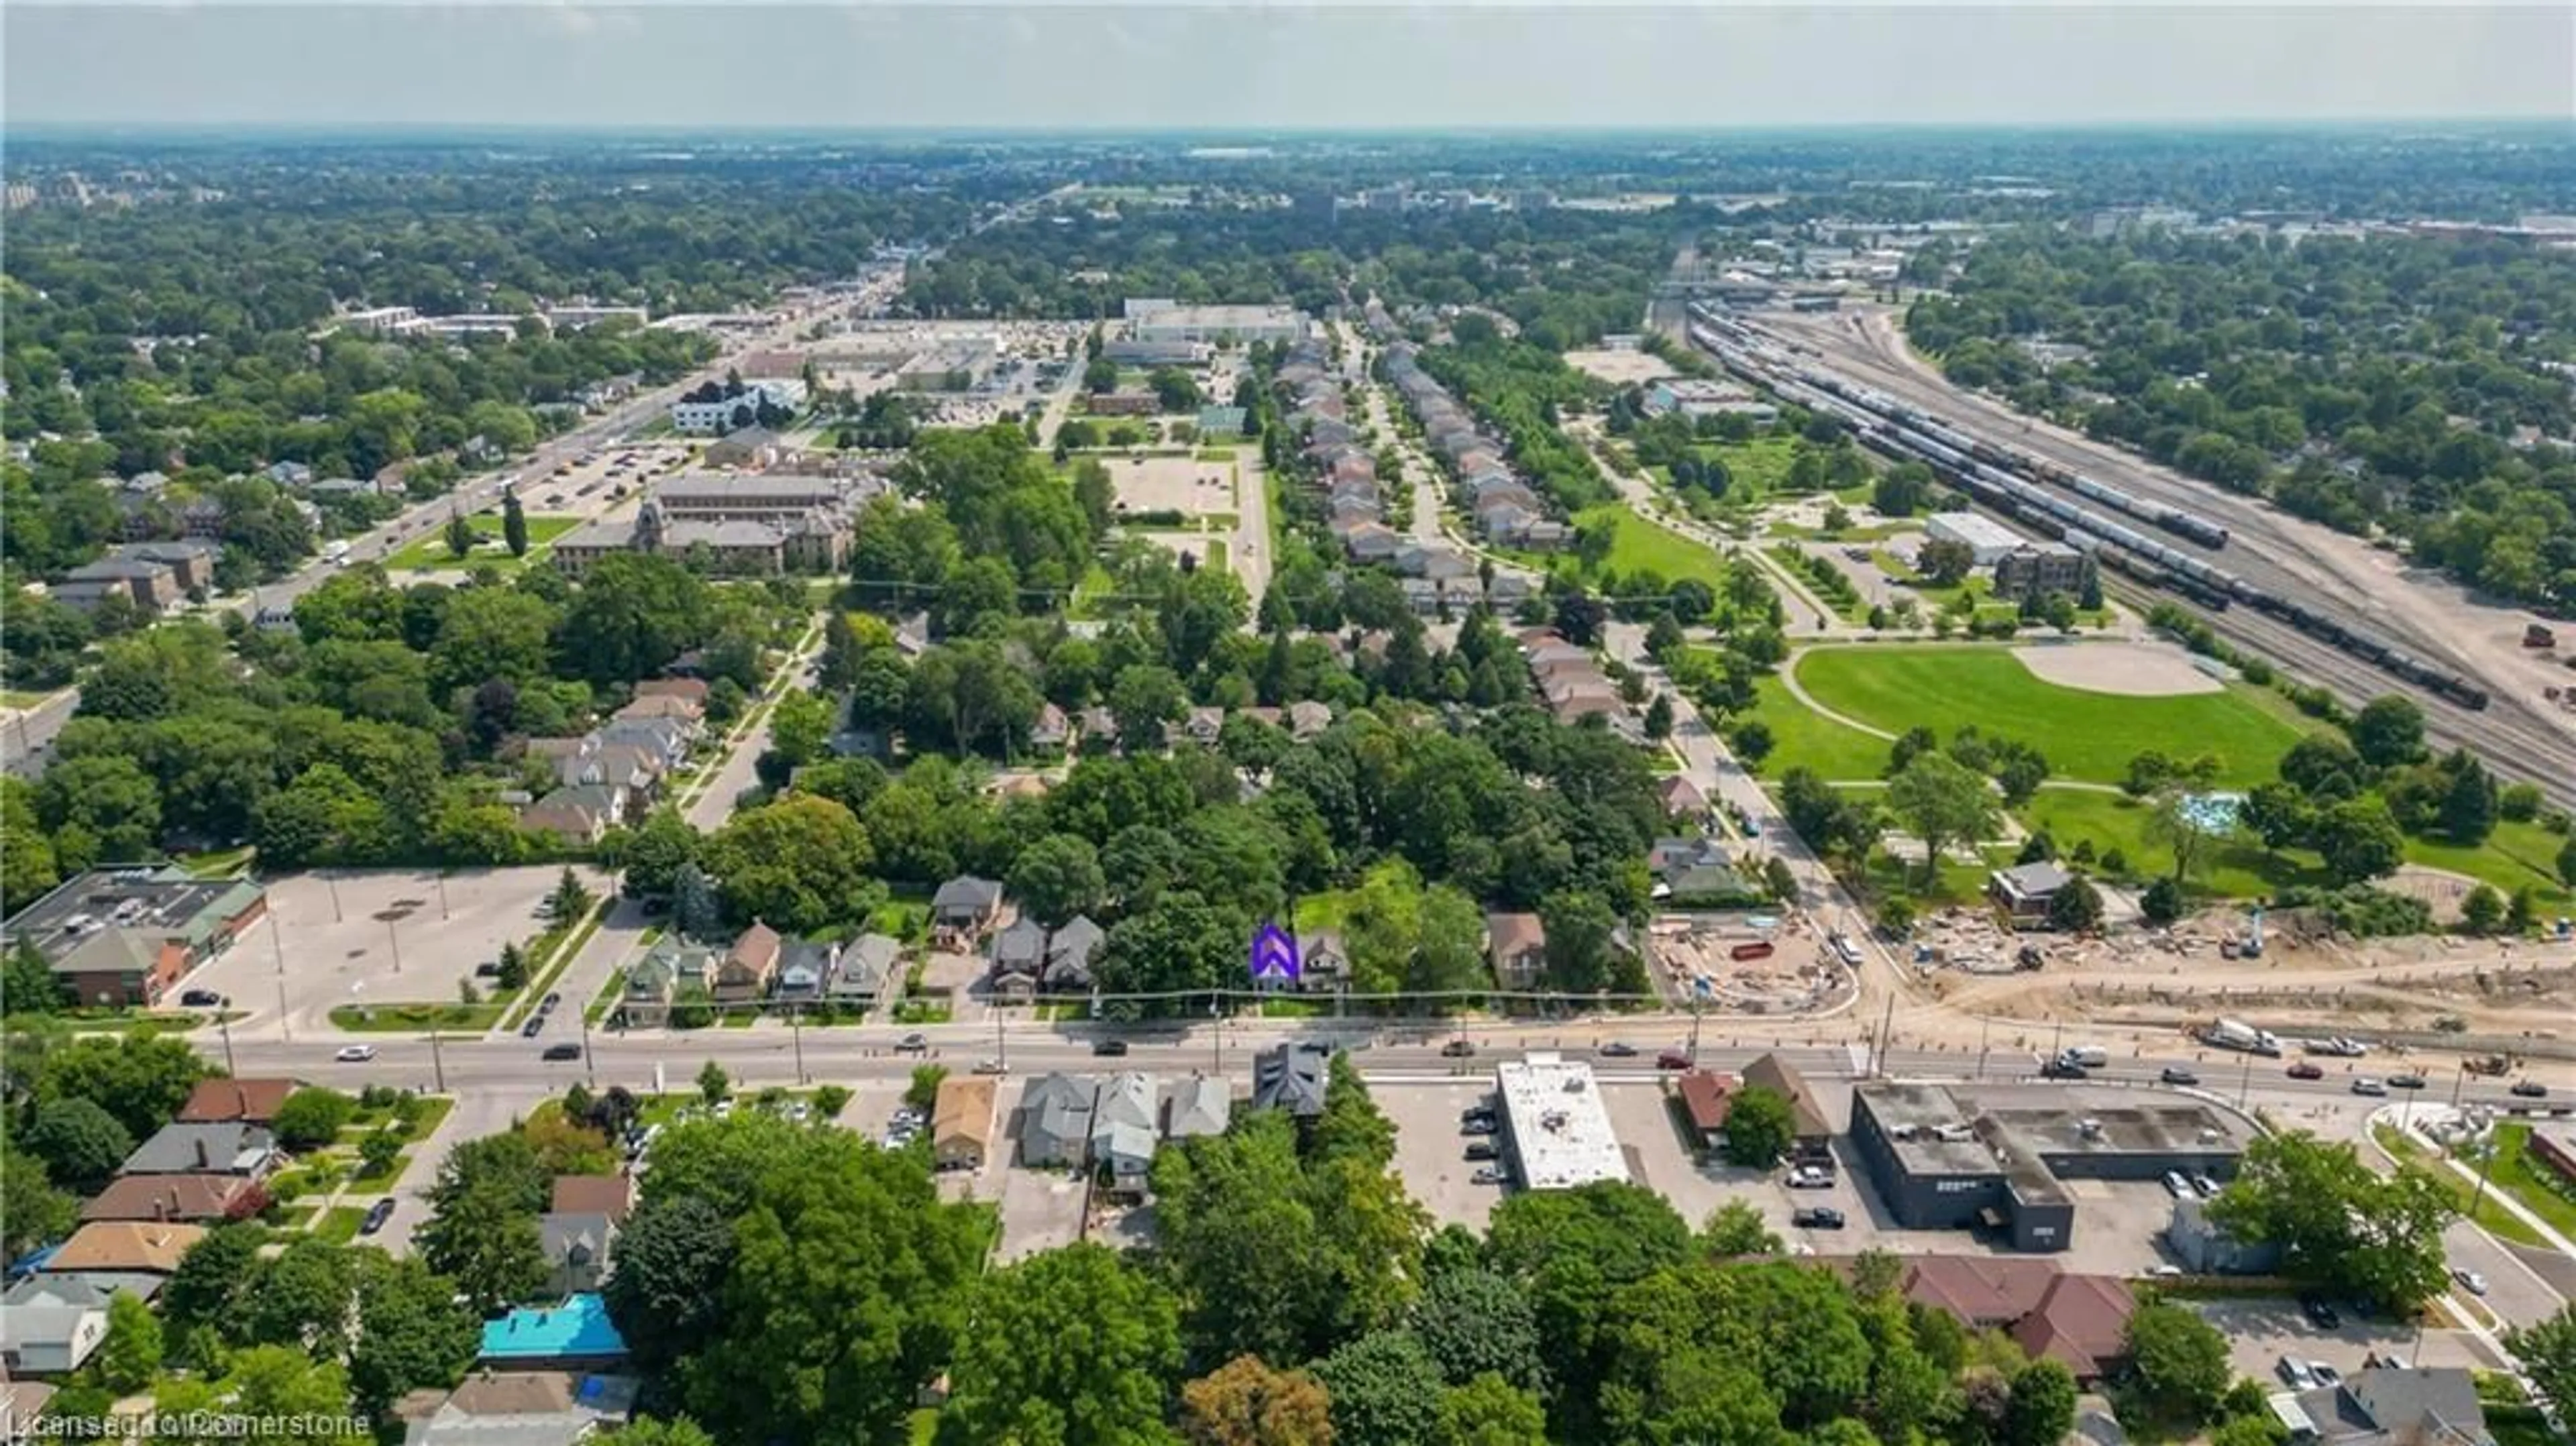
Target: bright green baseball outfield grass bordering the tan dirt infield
(2085, 736)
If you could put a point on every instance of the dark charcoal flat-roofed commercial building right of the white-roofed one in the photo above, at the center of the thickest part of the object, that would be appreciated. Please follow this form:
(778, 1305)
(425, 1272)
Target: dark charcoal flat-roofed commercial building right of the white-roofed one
(1995, 1159)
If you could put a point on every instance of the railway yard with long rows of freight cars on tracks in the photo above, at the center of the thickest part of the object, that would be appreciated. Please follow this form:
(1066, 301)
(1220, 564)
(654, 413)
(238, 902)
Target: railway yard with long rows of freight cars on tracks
(2327, 607)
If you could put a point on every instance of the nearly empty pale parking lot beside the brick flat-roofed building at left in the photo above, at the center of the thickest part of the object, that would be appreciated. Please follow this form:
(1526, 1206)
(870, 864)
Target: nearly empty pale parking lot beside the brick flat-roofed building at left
(377, 940)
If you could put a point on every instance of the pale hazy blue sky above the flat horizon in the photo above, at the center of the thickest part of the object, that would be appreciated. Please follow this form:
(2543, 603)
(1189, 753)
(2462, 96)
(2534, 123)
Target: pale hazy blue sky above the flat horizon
(1279, 66)
